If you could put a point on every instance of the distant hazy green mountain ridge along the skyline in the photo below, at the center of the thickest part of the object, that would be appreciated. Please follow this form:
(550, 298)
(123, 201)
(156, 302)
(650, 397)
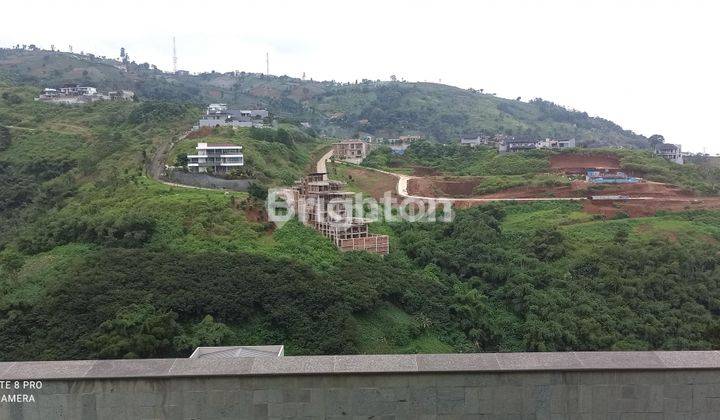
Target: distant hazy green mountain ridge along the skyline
(379, 108)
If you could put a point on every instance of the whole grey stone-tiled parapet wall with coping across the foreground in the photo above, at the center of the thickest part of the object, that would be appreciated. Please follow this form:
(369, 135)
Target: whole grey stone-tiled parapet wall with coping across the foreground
(642, 385)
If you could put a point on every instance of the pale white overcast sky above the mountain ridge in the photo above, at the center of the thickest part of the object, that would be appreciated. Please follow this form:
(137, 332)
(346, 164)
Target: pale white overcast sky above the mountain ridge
(651, 66)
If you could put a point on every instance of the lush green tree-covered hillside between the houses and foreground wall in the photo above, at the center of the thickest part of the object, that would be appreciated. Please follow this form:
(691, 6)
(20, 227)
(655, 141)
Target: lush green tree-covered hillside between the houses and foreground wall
(99, 261)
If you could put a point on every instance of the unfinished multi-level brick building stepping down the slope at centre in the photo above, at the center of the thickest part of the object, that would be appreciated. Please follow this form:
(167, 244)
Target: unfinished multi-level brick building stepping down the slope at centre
(322, 204)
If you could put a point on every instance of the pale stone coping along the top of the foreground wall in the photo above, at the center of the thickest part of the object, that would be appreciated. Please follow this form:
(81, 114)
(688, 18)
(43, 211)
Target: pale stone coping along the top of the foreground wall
(362, 364)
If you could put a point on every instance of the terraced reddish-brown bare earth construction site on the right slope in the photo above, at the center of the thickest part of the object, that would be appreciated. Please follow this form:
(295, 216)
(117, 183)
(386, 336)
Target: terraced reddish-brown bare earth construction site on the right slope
(636, 199)
